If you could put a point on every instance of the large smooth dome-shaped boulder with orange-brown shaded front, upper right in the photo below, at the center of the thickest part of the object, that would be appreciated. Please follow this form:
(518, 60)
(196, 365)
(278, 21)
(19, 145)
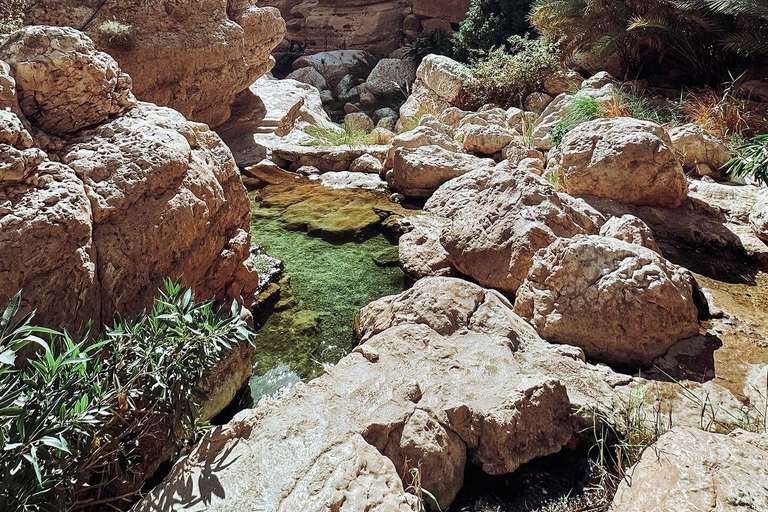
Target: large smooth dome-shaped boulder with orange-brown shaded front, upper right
(623, 159)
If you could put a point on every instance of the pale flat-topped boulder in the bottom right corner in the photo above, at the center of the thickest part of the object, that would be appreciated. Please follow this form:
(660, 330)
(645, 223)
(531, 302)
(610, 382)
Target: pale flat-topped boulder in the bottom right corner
(690, 470)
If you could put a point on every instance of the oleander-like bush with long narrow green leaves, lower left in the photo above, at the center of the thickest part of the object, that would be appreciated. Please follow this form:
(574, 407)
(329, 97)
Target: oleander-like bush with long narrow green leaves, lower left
(73, 419)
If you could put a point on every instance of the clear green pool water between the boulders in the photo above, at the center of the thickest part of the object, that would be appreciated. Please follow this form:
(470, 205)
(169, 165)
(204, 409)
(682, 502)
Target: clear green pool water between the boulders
(328, 284)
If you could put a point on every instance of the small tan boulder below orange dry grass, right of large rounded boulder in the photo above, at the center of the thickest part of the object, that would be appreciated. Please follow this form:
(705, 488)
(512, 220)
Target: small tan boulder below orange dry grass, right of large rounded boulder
(696, 147)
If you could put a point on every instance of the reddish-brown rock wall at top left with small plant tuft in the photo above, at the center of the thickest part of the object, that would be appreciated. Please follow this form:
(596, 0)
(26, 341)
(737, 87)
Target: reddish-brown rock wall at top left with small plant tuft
(192, 56)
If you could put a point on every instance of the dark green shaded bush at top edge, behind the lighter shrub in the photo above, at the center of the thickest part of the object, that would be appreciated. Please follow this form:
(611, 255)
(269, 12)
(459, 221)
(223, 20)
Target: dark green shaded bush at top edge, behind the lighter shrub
(489, 24)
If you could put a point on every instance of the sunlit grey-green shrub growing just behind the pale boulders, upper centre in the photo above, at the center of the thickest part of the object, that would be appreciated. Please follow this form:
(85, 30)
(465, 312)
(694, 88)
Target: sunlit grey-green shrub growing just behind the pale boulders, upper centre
(506, 77)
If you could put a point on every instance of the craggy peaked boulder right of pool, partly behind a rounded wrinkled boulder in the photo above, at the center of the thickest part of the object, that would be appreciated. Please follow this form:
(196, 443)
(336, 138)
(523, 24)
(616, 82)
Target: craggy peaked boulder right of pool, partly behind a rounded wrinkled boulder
(500, 218)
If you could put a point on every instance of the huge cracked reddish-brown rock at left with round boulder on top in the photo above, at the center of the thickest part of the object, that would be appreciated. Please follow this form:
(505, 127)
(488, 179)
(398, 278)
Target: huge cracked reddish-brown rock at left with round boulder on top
(91, 227)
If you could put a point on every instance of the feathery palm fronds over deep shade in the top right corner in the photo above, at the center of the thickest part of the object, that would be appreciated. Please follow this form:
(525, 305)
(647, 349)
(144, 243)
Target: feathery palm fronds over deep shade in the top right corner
(705, 38)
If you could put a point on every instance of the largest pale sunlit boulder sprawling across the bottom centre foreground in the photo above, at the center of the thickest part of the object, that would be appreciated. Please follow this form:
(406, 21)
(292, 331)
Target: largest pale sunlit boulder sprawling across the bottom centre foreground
(348, 440)
